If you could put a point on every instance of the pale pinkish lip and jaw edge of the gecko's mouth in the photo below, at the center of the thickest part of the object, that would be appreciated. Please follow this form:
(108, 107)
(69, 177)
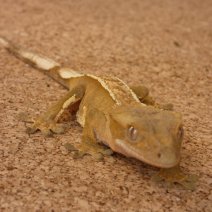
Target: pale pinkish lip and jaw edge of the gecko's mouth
(131, 151)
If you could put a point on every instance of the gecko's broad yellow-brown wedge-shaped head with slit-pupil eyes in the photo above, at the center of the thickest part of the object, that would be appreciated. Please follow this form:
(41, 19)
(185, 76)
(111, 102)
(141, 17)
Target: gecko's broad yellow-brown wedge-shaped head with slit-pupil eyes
(148, 134)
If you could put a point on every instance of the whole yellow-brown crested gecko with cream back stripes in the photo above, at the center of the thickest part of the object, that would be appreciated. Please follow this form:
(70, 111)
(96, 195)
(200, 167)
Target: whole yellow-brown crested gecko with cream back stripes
(115, 117)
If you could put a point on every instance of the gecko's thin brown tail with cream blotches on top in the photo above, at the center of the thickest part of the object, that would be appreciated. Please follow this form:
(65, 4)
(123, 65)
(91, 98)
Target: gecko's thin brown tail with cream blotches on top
(42, 63)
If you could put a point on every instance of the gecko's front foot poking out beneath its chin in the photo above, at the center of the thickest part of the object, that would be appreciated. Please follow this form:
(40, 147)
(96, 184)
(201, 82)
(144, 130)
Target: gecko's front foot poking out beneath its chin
(175, 175)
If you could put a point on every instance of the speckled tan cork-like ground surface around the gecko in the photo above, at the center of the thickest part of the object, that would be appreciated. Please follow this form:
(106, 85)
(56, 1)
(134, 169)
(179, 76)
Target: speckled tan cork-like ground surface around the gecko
(166, 45)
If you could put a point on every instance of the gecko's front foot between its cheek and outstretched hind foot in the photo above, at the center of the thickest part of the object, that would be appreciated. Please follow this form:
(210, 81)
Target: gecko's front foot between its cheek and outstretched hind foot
(97, 151)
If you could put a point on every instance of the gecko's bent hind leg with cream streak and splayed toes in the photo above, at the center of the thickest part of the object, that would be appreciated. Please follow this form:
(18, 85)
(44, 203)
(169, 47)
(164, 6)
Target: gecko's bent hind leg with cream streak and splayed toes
(50, 121)
